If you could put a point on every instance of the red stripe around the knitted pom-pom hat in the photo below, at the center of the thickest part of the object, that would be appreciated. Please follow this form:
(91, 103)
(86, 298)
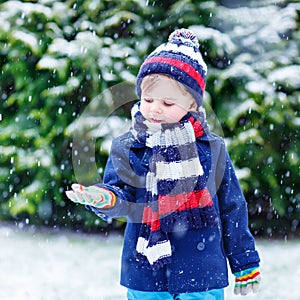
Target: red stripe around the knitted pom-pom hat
(181, 66)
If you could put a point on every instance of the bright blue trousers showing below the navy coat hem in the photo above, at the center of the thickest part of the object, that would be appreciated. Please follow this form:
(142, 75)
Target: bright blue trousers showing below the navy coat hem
(209, 295)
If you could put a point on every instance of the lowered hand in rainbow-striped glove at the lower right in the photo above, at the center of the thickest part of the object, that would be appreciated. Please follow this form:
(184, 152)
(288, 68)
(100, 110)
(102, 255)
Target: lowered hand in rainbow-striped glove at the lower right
(247, 281)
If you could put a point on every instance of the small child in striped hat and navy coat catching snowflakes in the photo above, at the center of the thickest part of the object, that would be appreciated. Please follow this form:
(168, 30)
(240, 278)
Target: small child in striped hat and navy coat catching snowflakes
(174, 181)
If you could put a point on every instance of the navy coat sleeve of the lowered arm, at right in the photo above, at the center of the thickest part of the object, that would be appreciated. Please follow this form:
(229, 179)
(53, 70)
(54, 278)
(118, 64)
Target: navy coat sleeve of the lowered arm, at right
(239, 243)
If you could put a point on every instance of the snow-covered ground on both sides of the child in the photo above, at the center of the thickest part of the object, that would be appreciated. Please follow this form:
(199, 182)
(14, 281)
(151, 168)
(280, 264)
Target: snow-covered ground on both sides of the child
(39, 265)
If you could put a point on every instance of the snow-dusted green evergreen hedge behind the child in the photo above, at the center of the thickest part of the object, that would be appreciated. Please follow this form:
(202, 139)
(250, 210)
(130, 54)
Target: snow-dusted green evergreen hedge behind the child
(57, 56)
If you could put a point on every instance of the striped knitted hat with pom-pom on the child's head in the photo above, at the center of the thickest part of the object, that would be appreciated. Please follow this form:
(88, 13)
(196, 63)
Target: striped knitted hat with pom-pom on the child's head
(180, 59)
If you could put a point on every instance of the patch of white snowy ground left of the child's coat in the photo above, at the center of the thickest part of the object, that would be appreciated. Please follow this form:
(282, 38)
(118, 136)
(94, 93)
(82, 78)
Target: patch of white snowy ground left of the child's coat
(63, 266)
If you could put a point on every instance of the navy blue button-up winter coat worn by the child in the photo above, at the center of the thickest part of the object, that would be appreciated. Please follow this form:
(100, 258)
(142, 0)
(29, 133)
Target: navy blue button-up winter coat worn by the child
(199, 257)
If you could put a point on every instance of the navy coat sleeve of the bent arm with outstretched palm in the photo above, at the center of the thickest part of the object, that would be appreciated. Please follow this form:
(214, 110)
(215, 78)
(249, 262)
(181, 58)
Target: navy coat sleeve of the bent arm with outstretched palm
(120, 178)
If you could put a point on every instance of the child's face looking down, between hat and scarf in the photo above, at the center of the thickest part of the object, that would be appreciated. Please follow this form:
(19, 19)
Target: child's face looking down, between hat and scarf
(165, 101)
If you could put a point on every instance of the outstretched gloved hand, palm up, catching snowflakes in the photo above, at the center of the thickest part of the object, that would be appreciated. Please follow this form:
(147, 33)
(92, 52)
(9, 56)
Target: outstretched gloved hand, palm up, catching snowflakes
(92, 195)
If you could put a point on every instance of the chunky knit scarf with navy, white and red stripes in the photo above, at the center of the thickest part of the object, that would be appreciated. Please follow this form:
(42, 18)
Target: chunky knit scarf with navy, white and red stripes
(177, 197)
